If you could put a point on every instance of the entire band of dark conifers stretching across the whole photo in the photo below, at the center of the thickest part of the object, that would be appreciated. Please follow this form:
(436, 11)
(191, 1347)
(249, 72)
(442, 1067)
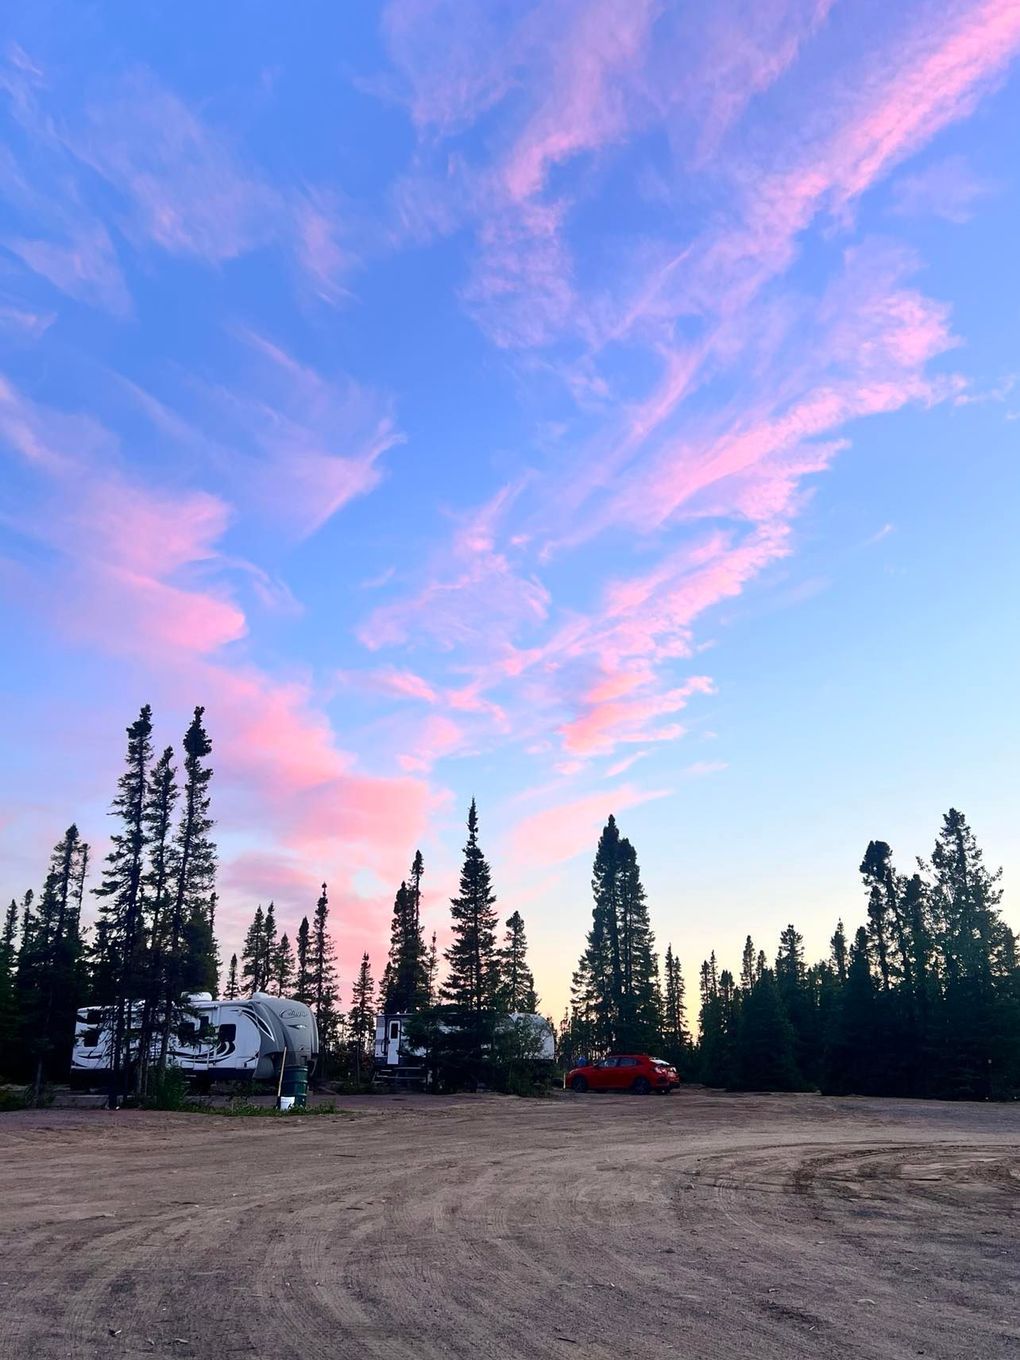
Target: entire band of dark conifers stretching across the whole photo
(920, 999)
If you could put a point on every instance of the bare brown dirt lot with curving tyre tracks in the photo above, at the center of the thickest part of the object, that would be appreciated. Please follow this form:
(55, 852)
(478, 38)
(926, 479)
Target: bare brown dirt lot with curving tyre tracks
(701, 1226)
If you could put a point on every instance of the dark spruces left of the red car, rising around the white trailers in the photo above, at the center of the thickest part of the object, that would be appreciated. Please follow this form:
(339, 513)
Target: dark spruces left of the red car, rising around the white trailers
(153, 942)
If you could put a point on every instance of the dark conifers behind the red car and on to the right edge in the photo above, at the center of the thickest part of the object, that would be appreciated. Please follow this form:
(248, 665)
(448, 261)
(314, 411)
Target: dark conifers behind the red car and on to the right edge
(923, 1000)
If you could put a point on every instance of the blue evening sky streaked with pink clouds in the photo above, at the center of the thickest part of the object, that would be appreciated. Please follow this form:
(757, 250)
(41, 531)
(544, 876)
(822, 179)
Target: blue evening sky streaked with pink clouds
(584, 406)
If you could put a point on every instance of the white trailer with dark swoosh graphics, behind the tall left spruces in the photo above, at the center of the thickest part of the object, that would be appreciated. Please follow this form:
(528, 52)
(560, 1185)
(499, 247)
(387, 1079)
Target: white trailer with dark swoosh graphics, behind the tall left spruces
(225, 1040)
